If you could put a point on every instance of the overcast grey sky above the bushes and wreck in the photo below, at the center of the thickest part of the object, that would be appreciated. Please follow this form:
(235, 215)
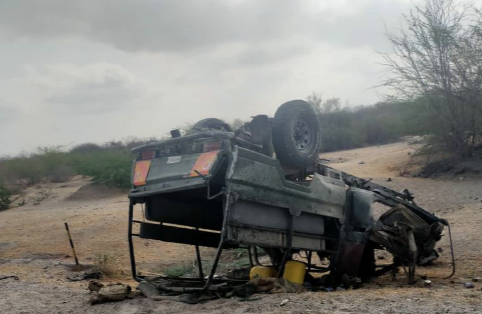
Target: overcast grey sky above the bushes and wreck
(91, 71)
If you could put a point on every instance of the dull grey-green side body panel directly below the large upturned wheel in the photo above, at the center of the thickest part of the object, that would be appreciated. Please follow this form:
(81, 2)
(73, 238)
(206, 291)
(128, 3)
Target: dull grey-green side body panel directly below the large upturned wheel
(260, 179)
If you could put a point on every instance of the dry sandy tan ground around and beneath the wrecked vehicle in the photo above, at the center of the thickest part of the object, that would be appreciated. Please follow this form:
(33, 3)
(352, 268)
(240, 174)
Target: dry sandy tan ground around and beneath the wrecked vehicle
(34, 247)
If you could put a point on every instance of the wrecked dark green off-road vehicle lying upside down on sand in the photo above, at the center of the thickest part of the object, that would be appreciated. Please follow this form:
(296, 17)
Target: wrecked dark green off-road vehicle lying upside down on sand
(263, 185)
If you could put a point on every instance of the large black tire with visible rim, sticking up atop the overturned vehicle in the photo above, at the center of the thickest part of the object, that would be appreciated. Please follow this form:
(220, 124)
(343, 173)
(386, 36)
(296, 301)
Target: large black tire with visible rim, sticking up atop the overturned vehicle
(296, 134)
